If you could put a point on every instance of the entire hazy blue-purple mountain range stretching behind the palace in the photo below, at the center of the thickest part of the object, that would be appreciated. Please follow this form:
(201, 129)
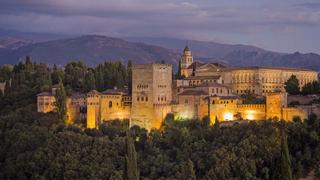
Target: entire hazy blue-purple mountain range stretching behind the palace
(94, 49)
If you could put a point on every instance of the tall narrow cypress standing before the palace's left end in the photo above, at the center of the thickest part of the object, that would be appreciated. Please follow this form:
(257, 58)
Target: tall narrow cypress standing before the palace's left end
(61, 102)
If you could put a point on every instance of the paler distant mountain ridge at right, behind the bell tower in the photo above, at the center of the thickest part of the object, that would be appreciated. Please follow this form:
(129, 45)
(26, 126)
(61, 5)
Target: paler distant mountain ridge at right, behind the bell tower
(236, 55)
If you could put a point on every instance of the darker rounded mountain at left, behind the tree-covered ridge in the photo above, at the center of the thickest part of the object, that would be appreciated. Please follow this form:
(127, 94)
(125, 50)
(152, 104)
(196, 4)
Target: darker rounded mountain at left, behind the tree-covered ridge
(91, 49)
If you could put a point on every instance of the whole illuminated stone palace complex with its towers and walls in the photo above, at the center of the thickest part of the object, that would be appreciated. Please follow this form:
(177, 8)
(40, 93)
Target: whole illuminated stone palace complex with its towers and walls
(205, 89)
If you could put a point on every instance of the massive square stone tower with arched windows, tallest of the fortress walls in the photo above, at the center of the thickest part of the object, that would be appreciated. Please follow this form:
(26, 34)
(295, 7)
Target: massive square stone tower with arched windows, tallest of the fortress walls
(151, 94)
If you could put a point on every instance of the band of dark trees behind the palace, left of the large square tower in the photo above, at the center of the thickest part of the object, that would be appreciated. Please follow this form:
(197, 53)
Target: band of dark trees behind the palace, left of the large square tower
(76, 76)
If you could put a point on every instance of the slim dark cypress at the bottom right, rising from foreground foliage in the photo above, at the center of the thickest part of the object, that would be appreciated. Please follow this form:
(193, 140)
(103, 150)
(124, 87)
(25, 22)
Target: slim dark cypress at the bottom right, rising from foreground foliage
(285, 163)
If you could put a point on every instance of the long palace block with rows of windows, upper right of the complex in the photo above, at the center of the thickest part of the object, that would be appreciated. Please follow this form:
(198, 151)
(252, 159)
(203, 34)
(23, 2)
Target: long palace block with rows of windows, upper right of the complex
(263, 80)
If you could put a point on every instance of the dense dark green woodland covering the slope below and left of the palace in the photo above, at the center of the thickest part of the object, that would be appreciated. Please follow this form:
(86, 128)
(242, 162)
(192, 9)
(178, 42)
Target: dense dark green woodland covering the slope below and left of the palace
(40, 146)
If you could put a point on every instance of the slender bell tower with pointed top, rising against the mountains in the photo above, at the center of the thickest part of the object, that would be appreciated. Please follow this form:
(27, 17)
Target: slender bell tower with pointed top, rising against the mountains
(185, 61)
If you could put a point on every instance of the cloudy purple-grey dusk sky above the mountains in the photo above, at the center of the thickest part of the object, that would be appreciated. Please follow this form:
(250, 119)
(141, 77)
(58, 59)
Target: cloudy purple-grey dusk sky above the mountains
(278, 25)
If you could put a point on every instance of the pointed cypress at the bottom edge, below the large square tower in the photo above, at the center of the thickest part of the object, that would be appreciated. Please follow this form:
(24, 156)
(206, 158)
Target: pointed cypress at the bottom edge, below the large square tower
(131, 171)
